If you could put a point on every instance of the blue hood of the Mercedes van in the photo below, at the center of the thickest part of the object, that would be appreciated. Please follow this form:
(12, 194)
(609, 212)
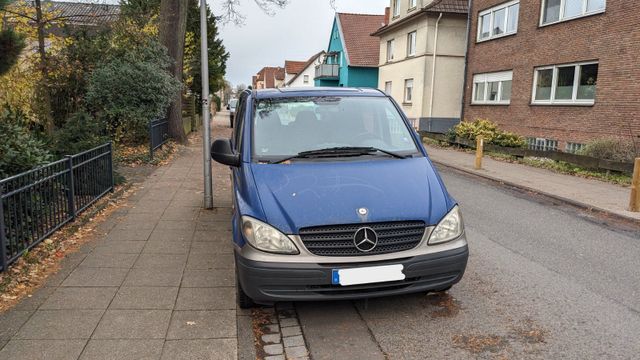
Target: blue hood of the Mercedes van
(303, 194)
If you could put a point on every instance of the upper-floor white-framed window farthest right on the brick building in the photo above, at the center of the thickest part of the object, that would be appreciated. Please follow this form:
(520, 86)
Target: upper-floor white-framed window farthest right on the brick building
(560, 10)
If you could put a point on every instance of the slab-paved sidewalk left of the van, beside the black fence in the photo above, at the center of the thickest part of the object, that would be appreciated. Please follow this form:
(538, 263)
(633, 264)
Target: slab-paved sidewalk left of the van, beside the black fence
(157, 284)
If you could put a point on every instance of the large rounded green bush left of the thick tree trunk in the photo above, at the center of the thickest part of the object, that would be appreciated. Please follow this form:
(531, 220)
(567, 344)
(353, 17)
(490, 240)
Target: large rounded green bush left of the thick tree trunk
(130, 90)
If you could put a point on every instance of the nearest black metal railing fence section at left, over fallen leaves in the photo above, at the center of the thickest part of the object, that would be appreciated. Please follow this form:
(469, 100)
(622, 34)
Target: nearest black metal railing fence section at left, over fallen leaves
(38, 202)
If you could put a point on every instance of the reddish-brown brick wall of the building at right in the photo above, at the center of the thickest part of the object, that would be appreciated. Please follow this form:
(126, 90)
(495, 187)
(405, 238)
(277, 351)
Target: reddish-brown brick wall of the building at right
(612, 38)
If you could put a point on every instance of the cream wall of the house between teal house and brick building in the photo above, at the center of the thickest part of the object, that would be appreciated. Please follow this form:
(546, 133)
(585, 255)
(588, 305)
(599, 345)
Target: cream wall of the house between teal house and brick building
(449, 78)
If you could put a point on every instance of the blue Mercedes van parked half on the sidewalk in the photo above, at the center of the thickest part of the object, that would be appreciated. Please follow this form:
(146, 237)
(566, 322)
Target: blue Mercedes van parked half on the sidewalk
(335, 198)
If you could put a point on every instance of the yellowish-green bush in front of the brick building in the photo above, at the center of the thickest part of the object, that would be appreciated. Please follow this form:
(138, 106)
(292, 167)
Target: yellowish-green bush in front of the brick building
(489, 132)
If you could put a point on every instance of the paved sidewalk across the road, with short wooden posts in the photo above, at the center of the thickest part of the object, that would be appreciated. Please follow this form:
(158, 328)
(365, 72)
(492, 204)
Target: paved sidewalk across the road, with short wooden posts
(581, 192)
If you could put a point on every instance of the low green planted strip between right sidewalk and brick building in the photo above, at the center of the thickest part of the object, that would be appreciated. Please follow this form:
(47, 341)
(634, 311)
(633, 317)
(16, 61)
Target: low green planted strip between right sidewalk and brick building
(578, 160)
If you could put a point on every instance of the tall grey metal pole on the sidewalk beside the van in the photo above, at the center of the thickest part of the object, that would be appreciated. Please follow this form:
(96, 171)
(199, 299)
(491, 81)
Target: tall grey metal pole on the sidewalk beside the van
(206, 133)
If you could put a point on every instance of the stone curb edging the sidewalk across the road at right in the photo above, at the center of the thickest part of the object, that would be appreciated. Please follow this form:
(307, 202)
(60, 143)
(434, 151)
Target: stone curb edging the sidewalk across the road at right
(574, 203)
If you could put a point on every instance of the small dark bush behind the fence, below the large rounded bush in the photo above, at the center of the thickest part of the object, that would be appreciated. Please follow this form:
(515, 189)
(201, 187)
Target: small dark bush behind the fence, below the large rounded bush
(81, 132)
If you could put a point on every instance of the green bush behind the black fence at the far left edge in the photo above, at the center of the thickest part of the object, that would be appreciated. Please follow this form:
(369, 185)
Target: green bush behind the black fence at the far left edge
(19, 149)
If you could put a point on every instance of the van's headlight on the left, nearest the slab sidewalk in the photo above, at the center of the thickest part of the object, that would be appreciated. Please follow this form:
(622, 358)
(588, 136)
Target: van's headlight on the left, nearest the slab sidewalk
(266, 238)
